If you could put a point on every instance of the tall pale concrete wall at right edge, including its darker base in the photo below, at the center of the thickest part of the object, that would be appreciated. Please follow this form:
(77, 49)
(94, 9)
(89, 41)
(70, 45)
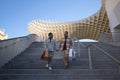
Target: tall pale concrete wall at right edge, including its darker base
(113, 12)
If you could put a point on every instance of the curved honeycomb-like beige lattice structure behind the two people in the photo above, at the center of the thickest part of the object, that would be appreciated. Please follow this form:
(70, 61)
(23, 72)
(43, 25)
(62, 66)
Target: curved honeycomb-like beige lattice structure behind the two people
(88, 28)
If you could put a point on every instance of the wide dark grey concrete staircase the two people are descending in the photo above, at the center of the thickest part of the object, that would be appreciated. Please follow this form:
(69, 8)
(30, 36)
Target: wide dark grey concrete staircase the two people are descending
(28, 66)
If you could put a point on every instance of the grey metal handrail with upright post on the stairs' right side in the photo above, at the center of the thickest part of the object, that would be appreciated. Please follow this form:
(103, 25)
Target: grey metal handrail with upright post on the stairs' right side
(110, 38)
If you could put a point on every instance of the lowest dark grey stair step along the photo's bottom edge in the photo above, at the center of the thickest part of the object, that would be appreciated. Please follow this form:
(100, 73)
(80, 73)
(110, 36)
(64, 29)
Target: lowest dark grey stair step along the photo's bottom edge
(59, 77)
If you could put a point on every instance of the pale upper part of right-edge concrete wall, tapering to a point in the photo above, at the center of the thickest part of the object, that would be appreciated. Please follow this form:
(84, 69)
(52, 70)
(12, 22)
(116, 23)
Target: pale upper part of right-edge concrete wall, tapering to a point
(113, 10)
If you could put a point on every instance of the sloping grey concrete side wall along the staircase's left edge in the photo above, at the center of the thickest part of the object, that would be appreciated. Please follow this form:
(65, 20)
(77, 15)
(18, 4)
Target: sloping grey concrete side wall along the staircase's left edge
(12, 47)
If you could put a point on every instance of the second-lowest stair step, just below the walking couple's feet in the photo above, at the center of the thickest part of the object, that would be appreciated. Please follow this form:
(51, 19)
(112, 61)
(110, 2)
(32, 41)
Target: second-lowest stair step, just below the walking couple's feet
(60, 71)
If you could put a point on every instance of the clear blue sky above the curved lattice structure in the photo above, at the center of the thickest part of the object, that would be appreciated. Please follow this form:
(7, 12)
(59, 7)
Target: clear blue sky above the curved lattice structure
(16, 14)
